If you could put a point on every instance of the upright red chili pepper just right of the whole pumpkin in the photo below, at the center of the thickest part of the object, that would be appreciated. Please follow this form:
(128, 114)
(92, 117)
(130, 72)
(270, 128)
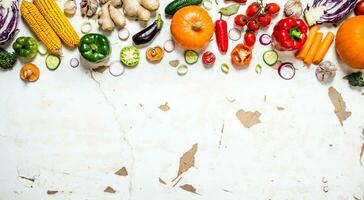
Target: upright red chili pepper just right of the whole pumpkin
(222, 35)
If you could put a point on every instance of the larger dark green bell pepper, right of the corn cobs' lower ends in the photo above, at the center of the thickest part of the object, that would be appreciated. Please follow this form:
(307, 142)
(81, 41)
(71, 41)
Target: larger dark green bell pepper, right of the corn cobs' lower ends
(94, 47)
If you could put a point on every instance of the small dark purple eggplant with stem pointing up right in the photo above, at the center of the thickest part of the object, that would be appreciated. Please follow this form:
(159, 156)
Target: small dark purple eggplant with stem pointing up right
(149, 33)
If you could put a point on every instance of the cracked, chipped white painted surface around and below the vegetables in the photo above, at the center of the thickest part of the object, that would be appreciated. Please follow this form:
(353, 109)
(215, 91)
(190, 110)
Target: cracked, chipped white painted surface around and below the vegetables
(71, 135)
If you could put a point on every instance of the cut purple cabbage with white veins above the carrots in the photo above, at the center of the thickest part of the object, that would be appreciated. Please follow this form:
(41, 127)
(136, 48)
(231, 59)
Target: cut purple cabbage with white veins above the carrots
(330, 11)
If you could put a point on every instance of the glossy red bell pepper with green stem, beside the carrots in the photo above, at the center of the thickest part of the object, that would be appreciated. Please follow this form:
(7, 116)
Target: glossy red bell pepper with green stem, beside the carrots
(289, 34)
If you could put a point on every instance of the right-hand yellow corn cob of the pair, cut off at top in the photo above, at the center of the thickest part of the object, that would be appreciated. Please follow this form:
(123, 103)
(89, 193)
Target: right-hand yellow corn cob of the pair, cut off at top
(58, 21)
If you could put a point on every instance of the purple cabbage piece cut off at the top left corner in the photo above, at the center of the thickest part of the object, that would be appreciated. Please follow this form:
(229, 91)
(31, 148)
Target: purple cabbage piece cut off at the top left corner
(9, 19)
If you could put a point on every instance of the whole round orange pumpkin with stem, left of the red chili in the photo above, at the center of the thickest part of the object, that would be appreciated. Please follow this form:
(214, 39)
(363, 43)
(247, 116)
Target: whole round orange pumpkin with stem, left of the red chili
(192, 27)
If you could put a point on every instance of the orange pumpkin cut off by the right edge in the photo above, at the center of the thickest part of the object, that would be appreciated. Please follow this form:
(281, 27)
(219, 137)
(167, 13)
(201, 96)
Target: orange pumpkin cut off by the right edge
(350, 42)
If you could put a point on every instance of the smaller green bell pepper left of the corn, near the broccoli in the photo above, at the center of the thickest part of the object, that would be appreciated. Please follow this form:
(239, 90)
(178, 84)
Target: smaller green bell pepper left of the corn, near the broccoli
(26, 47)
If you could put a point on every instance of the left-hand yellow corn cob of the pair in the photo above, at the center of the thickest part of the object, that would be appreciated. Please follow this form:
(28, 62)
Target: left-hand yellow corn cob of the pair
(40, 27)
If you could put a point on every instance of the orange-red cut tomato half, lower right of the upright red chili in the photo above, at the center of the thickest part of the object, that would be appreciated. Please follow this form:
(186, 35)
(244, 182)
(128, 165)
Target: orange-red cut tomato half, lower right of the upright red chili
(241, 55)
